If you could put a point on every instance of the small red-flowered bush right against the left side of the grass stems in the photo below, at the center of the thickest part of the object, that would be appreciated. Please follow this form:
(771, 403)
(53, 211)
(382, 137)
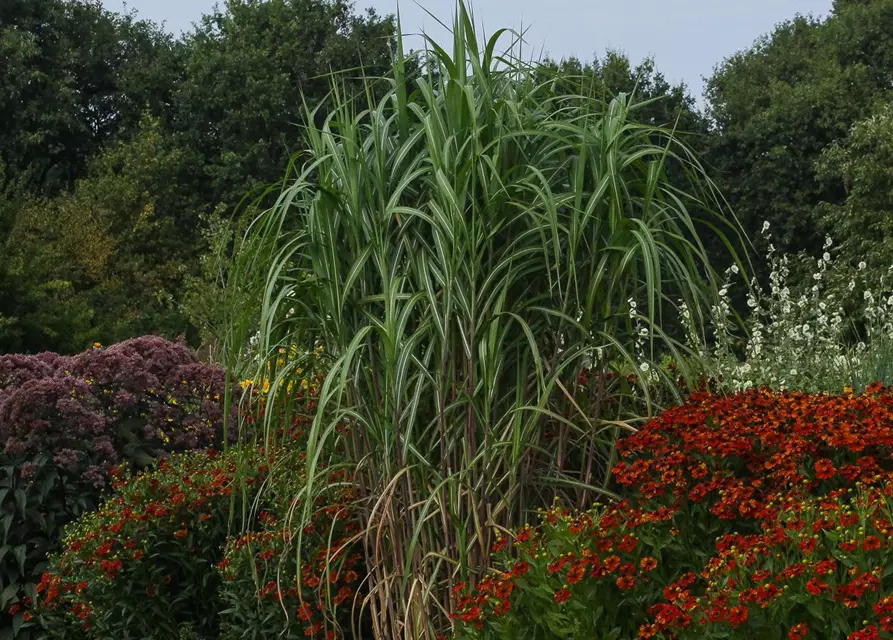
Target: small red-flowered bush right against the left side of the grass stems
(303, 591)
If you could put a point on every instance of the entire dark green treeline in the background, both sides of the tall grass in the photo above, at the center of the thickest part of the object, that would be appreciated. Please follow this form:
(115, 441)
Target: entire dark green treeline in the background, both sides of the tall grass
(125, 152)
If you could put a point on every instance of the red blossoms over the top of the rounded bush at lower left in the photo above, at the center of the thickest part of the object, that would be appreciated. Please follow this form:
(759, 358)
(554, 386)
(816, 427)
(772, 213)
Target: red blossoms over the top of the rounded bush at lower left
(182, 500)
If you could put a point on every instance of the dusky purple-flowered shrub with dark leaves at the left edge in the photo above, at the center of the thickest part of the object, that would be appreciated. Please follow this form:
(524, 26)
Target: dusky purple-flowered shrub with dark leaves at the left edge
(66, 422)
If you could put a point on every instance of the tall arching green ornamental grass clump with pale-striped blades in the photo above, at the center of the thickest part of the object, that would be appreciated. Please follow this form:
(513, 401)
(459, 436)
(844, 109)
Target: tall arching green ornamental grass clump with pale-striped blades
(461, 249)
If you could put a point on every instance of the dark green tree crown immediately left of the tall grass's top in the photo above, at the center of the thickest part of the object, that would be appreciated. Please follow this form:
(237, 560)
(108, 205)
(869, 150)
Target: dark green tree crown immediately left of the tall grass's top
(249, 68)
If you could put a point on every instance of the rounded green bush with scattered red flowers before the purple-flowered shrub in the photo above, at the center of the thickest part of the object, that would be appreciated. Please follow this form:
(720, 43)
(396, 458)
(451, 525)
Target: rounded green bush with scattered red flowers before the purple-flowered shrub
(144, 564)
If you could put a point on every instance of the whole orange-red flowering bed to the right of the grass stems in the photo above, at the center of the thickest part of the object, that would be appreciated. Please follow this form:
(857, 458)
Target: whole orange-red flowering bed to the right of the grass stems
(713, 485)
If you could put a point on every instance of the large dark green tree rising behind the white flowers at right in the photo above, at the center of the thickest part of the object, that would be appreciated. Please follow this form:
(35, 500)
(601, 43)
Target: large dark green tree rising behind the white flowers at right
(776, 107)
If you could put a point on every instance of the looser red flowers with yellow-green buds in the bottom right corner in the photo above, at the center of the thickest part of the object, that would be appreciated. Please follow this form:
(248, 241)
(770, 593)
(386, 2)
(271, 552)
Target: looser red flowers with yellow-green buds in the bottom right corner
(829, 552)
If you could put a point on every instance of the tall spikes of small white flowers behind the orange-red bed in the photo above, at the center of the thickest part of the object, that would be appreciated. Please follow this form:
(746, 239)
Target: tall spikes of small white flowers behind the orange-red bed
(807, 335)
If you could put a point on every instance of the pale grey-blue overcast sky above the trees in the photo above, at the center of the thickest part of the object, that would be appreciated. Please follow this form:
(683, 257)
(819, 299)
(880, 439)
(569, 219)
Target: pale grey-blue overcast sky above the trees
(686, 37)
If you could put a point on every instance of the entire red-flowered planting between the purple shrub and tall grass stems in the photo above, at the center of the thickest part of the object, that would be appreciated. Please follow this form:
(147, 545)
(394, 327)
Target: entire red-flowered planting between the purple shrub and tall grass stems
(195, 547)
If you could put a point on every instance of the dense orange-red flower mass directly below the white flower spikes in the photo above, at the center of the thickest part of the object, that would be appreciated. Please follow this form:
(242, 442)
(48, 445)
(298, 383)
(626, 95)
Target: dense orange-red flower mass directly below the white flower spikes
(737, 453)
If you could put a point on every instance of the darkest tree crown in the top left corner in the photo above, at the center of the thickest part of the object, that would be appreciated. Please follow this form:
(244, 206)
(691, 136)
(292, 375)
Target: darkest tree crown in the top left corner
(74, 78)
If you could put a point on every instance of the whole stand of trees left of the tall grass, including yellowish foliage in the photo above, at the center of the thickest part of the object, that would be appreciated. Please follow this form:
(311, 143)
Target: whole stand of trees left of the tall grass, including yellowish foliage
(117, 142)
